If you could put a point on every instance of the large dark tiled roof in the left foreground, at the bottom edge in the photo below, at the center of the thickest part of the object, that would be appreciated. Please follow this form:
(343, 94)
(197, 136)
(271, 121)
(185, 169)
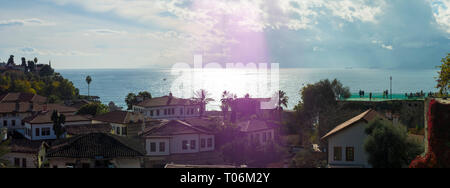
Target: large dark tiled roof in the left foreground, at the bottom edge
(96, 145)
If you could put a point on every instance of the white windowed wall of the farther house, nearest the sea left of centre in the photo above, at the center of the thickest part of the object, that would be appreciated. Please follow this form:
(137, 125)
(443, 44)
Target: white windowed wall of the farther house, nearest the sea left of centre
(169, 112)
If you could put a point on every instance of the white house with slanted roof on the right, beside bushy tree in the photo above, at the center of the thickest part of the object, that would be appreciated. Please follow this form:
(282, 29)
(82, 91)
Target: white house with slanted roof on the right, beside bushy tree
(345, 142)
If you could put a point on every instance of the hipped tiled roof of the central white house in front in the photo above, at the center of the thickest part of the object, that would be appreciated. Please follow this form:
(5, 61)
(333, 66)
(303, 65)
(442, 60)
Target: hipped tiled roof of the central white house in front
(173, 127)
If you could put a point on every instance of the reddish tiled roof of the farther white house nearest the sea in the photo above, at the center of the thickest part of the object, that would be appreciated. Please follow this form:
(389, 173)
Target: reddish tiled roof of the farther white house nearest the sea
(165, 101)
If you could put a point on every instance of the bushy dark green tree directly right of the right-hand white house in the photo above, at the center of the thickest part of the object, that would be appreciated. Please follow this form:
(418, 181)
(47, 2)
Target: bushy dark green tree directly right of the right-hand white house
(388, 145)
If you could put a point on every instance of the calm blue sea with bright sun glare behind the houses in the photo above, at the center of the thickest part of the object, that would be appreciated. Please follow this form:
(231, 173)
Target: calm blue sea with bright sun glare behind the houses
(114, 85)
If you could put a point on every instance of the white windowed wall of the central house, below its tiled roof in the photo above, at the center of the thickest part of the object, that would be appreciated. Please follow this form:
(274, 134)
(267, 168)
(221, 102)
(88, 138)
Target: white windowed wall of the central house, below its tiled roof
(179, 144)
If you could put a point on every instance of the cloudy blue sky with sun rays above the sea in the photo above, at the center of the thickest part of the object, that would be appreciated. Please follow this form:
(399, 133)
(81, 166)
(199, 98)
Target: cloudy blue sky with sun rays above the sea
(84, 34)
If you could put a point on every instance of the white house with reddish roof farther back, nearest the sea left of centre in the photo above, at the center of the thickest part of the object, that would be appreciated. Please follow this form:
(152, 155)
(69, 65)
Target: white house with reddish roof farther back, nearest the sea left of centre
(168, 107)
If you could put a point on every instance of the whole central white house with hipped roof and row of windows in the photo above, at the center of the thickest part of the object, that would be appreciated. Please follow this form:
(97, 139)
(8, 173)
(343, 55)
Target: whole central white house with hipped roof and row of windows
(177, 137)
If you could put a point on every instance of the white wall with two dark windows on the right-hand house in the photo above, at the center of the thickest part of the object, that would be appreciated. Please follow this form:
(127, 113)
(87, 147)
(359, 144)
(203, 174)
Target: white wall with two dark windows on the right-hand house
(351, 138)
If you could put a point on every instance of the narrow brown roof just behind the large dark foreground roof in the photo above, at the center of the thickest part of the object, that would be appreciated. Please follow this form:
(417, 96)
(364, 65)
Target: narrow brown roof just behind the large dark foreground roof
(88, 128)
